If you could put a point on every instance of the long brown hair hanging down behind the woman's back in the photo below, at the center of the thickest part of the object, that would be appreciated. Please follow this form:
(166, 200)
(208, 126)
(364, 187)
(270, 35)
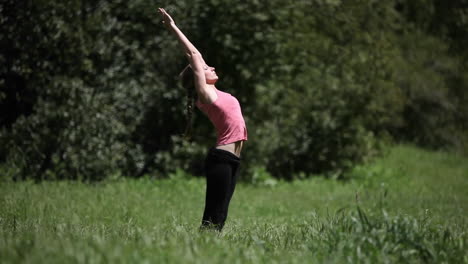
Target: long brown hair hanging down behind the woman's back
(187, 79)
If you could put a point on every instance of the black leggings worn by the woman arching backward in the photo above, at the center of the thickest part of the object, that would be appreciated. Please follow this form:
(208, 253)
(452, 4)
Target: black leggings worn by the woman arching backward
(221, 169)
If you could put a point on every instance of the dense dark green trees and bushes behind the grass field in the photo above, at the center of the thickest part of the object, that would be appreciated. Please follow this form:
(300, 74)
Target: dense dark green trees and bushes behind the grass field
(89, 88)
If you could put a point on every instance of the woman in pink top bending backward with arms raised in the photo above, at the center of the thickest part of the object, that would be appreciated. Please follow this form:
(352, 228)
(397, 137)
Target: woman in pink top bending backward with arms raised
(223, 110)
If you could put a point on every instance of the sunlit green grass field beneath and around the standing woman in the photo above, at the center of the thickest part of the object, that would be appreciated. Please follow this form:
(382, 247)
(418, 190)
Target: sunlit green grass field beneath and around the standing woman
(409, 207)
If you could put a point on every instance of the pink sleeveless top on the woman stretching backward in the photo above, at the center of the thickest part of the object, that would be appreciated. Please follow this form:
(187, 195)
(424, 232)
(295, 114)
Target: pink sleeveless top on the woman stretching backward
(226, 115)
